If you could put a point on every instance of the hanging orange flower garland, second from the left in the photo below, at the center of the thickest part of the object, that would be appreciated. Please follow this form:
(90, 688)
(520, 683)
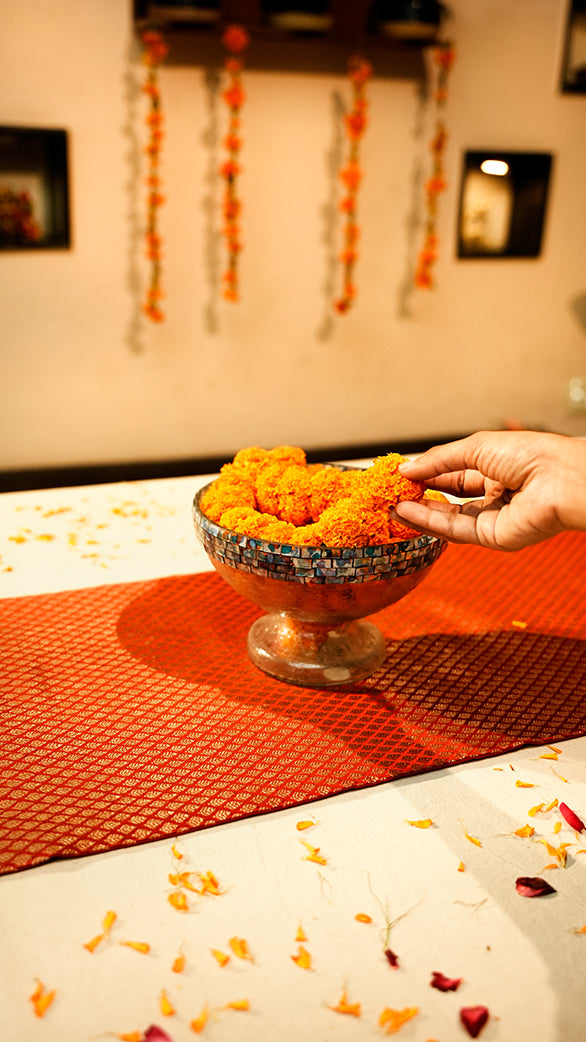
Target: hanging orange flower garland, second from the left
(236, 40)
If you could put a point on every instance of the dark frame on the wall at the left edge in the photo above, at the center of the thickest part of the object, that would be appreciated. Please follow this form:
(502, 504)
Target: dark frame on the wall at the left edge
(34, 189)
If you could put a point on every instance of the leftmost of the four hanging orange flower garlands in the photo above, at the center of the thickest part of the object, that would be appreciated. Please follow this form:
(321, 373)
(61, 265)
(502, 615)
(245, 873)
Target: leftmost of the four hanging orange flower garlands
(155, 53)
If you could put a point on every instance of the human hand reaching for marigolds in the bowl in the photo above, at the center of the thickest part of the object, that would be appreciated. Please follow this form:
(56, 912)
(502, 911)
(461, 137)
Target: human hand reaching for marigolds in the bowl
(527, 487)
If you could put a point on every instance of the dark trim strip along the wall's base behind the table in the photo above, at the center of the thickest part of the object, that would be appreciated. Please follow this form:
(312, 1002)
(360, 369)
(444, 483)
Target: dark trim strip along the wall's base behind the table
(53, 478)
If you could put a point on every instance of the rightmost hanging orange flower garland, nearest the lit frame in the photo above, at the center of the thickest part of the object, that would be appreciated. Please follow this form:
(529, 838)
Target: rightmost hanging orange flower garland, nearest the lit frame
(445, 58)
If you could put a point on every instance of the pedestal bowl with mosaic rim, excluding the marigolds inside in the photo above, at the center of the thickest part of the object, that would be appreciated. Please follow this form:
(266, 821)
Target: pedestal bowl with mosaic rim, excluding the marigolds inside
(316, 600)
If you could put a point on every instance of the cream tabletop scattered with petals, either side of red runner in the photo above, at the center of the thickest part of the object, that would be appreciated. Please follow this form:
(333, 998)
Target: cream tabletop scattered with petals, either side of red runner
(443, 899)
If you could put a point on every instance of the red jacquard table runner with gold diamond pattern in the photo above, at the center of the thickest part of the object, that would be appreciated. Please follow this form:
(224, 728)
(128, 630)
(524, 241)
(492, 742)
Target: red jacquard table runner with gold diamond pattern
(132, 712)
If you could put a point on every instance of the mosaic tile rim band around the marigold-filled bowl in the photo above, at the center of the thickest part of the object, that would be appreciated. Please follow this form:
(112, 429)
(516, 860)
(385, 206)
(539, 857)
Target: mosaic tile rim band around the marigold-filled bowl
(320, 565)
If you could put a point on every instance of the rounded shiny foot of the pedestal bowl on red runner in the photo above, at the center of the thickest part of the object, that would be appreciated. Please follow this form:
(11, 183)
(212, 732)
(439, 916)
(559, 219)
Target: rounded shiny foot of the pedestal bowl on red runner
(315, 655)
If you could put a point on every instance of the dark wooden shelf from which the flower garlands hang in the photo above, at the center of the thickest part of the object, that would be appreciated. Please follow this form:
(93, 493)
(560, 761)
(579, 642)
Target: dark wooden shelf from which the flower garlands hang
(197, 41)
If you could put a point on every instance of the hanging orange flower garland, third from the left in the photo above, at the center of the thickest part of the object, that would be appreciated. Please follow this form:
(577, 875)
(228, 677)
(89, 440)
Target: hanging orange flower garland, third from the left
(356, 122)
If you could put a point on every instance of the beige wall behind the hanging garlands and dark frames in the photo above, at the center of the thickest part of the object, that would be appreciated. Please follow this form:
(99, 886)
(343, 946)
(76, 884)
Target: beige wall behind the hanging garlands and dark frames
(85, 379)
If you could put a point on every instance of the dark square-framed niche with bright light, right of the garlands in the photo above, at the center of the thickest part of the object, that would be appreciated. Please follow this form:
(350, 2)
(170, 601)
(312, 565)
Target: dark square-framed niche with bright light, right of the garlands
(503, 204)
